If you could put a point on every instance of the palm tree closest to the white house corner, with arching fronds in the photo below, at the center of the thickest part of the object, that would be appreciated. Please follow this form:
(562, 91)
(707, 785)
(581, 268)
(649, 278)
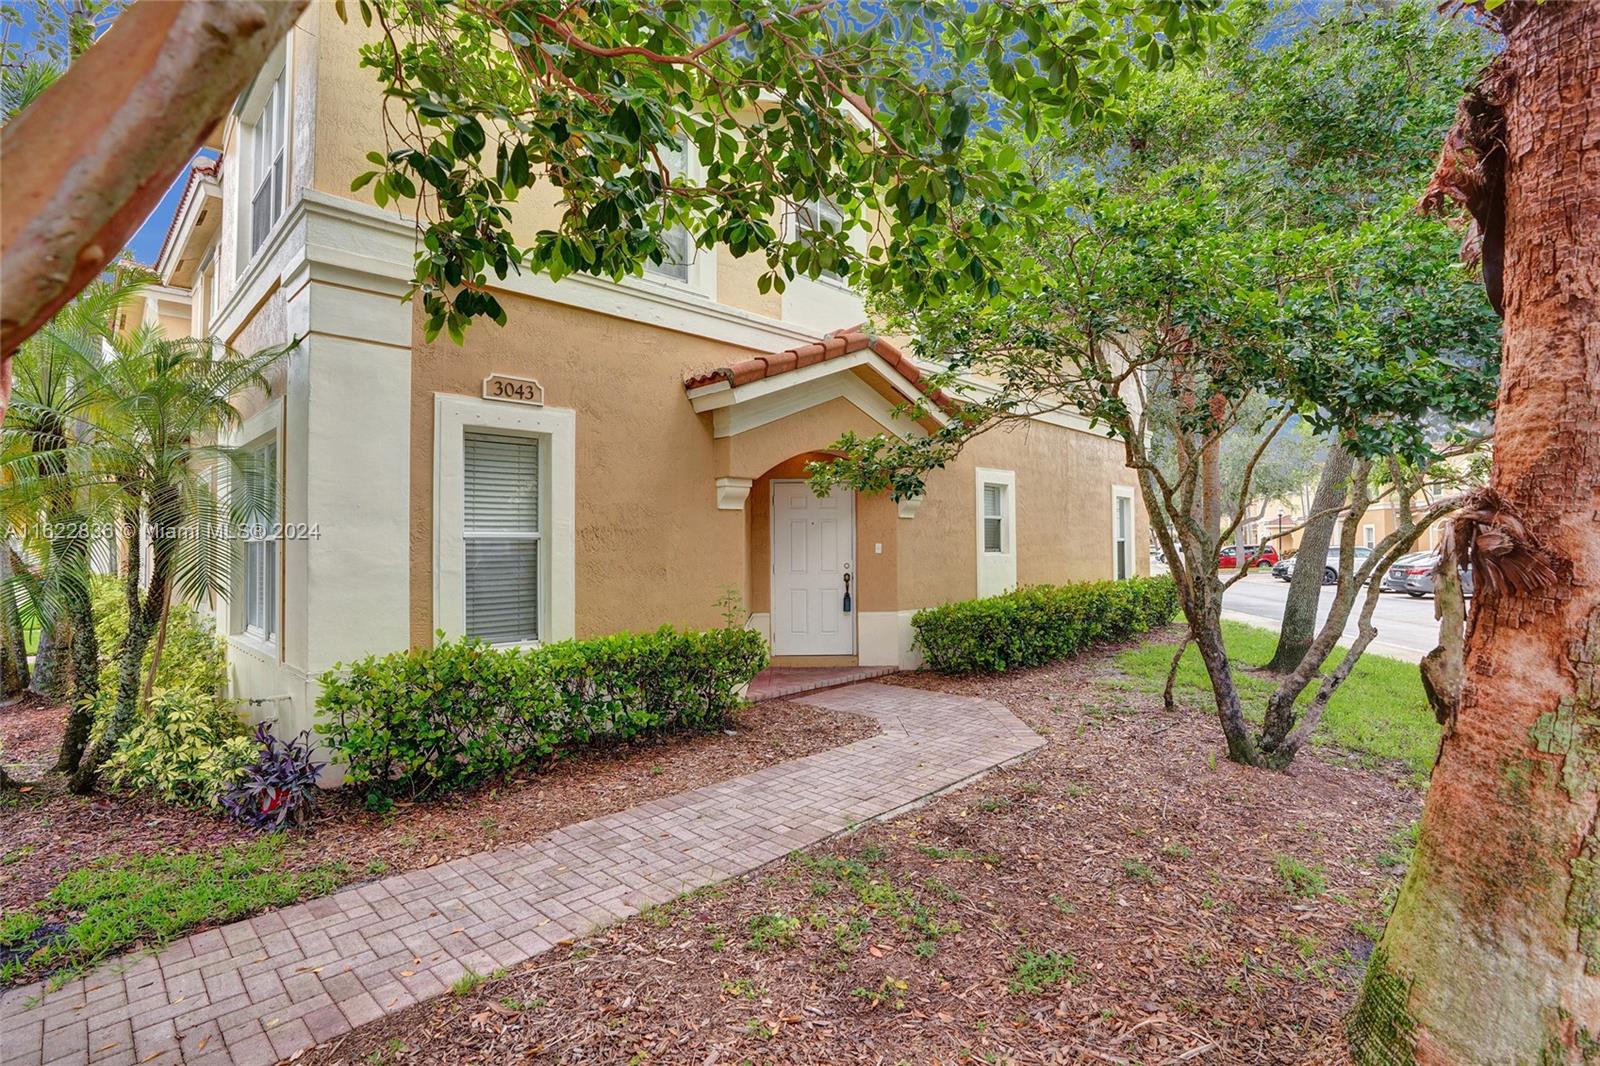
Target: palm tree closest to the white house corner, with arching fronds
(156, 463)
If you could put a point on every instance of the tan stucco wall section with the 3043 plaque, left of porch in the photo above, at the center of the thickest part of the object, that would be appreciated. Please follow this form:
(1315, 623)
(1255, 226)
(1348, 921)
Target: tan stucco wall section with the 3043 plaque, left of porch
(652, 545)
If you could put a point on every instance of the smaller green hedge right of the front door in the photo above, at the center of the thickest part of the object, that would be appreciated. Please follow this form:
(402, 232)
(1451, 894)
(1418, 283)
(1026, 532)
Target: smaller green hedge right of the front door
(1041, 623)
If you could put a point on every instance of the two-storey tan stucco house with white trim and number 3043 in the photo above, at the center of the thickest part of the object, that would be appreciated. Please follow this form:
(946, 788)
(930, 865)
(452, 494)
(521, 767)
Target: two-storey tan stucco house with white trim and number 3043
(617, 457)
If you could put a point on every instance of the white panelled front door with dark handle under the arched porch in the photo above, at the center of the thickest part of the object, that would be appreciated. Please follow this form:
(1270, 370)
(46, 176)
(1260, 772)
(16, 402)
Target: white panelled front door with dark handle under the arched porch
(814, 564)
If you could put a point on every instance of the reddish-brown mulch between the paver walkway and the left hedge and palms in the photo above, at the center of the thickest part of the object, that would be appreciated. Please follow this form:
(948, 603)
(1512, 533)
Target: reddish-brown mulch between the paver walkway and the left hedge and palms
(47, 833)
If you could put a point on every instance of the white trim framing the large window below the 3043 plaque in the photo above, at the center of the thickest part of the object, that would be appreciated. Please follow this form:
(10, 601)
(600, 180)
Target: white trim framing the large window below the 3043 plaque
(454, 415)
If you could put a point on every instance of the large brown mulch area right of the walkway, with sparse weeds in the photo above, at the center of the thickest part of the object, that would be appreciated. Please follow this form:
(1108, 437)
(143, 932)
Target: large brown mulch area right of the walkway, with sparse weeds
(1129, 844)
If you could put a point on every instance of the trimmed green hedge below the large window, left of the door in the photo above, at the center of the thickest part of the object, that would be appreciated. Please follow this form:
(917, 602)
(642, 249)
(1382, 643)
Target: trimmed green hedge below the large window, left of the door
(436, 719)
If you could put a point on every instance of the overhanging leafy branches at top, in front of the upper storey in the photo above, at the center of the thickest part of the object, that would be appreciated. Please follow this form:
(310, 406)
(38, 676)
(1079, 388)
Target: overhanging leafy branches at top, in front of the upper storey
(897, 114)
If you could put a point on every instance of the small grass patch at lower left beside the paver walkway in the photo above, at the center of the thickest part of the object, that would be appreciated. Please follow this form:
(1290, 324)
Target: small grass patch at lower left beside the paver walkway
(146, 900)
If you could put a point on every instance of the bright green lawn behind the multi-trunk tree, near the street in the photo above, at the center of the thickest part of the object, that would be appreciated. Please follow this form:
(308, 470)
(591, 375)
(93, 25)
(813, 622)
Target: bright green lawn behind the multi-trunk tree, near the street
(1380, 710)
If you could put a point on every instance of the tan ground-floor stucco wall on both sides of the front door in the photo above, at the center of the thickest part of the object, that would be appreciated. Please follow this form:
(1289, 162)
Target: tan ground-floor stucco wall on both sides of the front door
(652, 543)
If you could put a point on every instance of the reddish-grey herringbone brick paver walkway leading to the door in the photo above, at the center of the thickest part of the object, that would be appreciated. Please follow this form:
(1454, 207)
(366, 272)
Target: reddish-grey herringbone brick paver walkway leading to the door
(263, 990)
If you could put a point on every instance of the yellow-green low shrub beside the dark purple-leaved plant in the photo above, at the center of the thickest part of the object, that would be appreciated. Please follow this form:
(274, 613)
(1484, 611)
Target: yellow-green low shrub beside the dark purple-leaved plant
(185, 748)
